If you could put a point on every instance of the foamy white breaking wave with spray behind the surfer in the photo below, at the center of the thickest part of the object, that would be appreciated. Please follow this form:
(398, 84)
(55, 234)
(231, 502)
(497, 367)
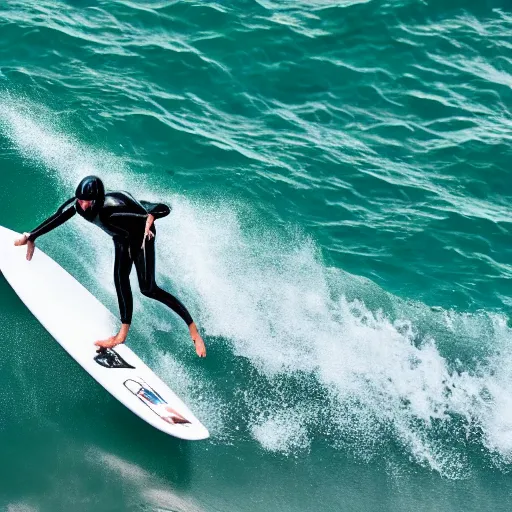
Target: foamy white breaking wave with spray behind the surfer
(316, 354)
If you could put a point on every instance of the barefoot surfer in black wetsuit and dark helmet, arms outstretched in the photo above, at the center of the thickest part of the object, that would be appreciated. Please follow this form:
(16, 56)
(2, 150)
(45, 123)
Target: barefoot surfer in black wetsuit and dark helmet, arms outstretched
(130, 223)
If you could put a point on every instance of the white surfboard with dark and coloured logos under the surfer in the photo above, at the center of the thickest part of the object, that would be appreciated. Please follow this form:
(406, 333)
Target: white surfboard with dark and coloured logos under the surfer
(65, 308)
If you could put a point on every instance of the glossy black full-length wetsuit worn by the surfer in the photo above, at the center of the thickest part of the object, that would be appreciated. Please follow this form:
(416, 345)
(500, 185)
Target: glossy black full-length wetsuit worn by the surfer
(124, 219)
